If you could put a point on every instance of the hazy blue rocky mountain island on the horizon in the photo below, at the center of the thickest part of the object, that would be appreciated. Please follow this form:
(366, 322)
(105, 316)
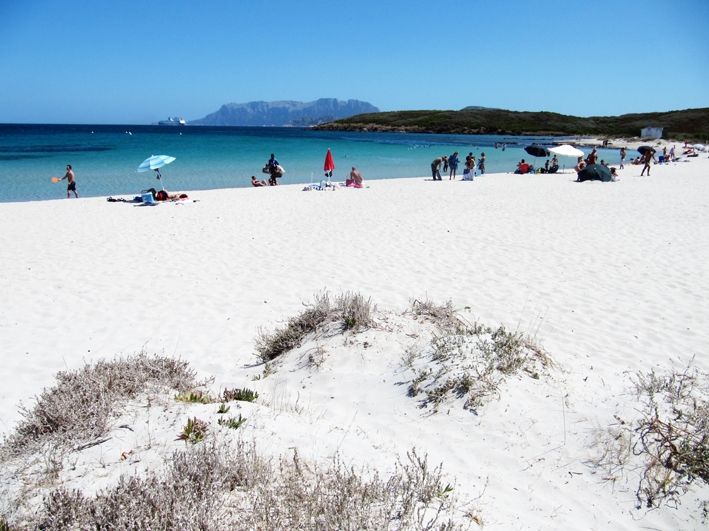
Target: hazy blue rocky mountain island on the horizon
(285, 113)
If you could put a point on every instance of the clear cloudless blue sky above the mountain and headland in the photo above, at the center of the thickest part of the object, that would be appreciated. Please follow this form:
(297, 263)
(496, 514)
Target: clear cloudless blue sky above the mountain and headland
(125, 61)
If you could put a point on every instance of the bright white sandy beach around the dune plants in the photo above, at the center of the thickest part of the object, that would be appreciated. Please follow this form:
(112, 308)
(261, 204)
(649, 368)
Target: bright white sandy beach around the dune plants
(609, 278)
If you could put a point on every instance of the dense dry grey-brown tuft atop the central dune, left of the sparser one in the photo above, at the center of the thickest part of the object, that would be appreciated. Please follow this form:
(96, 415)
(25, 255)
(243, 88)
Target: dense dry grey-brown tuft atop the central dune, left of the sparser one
(351, 310)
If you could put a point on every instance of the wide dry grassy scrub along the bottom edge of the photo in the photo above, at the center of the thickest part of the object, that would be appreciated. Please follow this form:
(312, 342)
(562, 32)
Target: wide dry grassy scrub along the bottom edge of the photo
(214, 486)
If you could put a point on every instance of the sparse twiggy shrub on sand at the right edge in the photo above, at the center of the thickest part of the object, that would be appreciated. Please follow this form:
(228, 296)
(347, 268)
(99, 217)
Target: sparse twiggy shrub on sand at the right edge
(667, 441)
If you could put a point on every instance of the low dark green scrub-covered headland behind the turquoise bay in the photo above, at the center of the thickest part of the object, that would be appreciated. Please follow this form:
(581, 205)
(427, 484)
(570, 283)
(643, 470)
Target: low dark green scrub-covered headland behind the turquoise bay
(690, 124)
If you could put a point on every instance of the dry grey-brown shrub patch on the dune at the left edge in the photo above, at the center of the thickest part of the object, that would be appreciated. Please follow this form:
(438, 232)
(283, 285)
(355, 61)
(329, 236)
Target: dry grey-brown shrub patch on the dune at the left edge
(81, 404)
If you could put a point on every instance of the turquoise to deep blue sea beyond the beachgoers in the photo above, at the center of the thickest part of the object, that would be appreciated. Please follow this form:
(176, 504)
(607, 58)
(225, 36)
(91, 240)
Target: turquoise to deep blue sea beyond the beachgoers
(105, 157)
